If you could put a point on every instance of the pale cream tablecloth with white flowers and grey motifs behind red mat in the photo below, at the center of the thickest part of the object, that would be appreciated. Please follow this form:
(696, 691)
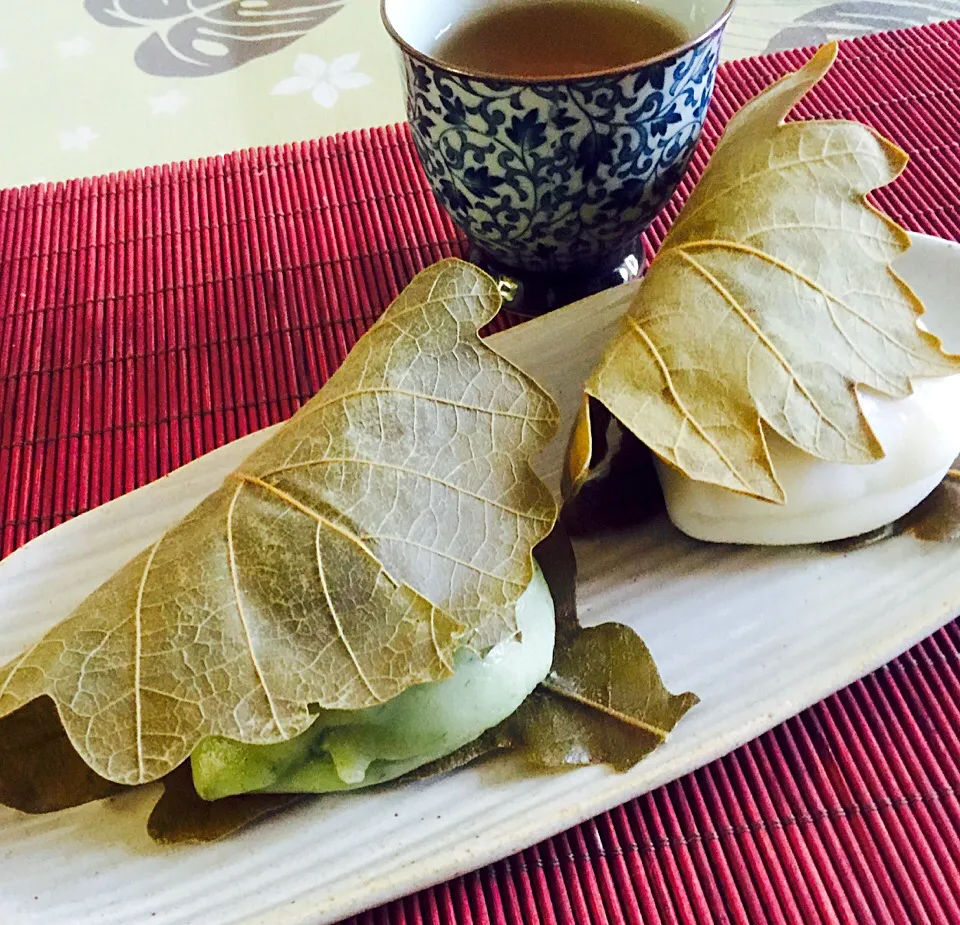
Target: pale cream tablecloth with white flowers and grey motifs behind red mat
(94, 86)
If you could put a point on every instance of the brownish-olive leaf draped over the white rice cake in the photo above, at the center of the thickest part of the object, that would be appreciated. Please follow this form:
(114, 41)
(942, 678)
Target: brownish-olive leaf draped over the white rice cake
(770, 301)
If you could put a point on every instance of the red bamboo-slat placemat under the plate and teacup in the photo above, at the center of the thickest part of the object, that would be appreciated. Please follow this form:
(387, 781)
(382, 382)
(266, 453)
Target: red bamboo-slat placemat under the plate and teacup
(149, 317)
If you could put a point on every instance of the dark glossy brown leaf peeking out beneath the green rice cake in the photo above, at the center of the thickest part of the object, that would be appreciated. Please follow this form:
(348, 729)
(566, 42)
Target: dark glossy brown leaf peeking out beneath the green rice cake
(603, 702)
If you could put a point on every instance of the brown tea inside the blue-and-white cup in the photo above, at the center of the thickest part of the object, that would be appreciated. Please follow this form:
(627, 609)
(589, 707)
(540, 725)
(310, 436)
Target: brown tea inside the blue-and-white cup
(559, 38)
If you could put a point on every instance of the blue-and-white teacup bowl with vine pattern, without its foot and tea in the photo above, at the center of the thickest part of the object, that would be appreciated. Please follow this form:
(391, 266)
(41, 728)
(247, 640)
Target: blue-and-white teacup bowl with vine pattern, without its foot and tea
(556, 176)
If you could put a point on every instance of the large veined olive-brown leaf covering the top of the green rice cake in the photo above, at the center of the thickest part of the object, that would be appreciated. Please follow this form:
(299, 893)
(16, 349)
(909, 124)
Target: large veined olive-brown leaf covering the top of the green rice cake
(391, 520)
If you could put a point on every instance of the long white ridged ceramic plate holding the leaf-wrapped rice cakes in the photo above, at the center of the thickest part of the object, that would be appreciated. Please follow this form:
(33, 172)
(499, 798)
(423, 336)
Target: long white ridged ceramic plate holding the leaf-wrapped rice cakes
(760, 634)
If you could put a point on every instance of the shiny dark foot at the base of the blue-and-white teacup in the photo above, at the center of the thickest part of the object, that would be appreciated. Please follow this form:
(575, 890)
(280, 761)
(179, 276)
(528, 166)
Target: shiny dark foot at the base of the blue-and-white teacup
(532, 294)
